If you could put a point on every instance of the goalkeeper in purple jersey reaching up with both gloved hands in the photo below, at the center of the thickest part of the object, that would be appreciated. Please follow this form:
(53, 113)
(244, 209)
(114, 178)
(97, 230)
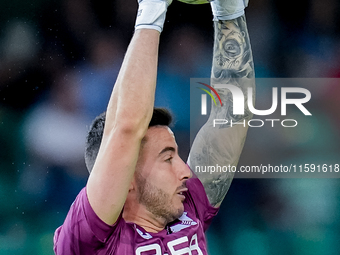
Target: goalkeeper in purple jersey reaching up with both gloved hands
(141, 198)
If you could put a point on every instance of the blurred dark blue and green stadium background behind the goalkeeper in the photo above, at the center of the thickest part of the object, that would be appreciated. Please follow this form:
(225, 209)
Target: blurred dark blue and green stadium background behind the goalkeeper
(58, 62)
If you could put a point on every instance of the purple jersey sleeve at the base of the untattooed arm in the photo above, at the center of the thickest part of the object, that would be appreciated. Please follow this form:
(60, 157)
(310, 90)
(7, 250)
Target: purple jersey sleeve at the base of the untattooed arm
(83, 232)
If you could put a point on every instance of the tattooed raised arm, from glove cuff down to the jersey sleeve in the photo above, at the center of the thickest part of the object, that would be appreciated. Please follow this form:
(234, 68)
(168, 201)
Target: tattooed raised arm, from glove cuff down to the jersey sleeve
(222, 145)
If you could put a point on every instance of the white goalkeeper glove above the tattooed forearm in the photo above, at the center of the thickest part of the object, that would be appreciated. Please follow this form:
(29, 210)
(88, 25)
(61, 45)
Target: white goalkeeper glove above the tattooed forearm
(228, 9)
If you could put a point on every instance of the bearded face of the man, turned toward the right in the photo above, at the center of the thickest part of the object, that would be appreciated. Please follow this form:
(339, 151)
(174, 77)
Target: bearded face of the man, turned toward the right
(161, 175)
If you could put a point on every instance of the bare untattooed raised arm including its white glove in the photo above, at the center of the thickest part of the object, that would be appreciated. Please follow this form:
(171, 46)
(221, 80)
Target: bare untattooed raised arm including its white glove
(128, 115)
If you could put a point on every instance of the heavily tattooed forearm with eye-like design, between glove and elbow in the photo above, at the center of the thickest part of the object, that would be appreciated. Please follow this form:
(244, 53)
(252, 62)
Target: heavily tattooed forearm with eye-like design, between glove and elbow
(232, 64)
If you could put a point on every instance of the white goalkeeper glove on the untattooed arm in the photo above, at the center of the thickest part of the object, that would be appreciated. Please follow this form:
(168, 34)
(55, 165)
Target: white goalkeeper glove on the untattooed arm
(151, 14)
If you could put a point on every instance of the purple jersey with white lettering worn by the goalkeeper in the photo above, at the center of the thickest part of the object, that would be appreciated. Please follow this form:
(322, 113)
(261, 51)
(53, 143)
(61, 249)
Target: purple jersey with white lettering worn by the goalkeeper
(84, 233)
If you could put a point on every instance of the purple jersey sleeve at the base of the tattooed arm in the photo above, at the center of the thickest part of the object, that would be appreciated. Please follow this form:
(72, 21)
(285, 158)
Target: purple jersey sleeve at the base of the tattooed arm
(197, 201)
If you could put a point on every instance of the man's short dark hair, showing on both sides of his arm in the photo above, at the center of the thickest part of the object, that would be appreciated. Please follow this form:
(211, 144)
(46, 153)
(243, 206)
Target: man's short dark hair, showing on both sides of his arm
(160, 116)
